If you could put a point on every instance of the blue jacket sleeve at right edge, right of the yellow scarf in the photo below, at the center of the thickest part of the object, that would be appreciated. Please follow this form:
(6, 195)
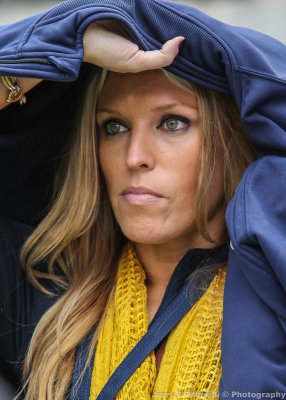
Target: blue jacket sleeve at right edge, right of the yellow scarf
(254, 320)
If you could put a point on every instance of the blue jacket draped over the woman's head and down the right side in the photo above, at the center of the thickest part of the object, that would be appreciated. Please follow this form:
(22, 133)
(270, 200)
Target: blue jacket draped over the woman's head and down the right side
(240, 62)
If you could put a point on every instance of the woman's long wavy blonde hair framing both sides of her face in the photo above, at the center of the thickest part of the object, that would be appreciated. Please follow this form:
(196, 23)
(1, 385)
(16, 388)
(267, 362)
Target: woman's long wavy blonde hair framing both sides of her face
(80, 241)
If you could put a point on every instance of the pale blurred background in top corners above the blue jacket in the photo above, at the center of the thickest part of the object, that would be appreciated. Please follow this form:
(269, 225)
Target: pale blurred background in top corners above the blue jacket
(267, 16)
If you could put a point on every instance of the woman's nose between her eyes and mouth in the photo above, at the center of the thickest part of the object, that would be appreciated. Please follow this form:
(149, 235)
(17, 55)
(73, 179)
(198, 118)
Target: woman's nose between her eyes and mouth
(141, 150)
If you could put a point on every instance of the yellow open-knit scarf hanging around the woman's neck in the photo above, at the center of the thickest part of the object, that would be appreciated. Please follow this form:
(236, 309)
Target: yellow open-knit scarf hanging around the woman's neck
(190, 366)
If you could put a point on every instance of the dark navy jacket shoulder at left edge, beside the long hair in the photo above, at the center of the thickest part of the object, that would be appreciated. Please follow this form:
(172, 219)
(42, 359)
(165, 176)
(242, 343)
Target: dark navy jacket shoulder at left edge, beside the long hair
(21, 305)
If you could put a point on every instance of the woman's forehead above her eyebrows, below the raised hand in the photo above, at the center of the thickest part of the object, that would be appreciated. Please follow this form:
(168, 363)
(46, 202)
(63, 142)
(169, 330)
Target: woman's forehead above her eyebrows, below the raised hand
(150, 86)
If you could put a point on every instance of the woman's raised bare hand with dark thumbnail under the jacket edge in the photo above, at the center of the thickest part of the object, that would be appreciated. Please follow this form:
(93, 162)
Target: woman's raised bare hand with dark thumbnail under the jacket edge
(107, 45)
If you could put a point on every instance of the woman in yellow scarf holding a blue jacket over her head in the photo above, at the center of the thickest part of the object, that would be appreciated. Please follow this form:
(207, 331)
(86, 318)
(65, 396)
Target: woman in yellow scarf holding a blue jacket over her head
(150, 129)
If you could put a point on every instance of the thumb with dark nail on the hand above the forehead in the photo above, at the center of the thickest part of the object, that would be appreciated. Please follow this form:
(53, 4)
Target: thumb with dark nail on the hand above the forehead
(145, 60)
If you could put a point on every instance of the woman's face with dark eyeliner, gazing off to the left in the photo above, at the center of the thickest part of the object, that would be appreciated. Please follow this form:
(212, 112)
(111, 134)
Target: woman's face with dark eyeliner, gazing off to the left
(149, 151)
